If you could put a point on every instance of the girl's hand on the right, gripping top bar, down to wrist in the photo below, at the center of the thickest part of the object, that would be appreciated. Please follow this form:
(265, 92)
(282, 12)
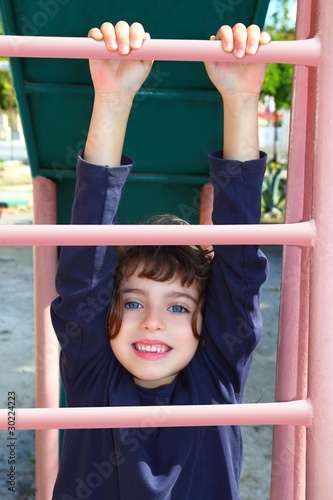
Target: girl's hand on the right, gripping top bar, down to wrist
(242, 78)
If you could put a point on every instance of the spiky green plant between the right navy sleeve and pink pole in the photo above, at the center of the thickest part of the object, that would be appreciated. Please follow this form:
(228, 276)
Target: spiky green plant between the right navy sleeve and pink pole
(274, 190)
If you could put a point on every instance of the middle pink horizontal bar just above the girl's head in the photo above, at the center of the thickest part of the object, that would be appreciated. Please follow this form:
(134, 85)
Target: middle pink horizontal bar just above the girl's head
(300, 234)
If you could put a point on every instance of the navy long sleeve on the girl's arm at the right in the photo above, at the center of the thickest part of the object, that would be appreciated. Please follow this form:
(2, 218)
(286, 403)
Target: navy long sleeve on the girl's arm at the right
(232, 321)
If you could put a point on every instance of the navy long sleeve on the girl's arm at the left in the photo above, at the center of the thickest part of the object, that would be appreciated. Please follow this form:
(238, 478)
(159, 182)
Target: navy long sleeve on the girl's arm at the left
(84, 279)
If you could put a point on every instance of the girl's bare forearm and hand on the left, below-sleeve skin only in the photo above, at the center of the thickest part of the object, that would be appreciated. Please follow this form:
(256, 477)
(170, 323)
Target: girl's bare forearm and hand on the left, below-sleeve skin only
(115, 85)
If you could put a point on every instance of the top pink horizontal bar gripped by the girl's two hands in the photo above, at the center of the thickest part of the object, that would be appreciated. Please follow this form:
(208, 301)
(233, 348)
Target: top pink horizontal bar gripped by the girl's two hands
(303, 52)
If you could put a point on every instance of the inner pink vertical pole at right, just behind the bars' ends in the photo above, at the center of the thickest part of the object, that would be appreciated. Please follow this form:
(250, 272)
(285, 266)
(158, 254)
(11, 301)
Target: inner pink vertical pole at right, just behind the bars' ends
(289, 443)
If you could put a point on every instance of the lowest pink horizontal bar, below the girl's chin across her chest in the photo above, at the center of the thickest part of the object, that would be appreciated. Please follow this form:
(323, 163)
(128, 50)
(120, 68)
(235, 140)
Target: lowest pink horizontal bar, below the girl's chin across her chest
(289, 413)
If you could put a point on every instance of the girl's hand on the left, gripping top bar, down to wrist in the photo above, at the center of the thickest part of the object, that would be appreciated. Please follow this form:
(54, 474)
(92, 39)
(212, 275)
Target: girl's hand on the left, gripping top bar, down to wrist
(119, 76)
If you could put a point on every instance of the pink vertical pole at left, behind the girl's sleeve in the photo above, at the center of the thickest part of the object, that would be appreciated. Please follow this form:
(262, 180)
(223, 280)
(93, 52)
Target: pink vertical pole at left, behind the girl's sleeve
(46, 347)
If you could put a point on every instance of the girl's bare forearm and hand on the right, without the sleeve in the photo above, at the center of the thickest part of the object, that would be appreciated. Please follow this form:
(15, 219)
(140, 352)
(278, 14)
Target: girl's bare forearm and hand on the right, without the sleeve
(239, 85)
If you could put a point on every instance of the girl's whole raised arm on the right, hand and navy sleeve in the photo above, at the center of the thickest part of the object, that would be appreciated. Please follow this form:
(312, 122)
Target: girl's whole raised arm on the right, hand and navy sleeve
(232, 314)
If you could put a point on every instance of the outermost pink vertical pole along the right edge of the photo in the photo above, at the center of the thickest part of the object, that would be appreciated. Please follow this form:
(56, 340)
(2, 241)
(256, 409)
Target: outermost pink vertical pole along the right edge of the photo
(320, 437)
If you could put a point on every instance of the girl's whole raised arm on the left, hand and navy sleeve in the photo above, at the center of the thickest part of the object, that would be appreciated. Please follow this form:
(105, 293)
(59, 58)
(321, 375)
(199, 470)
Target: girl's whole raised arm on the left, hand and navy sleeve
(85, 274)
